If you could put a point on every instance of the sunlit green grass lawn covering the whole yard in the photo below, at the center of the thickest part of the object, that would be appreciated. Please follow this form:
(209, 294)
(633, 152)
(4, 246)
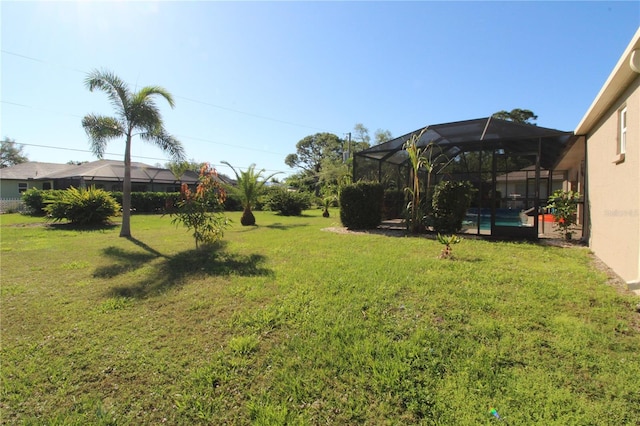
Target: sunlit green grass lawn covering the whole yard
(284, 323)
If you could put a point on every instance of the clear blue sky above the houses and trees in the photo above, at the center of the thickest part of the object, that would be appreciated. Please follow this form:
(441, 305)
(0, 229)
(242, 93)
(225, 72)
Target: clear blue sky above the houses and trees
(253, 78)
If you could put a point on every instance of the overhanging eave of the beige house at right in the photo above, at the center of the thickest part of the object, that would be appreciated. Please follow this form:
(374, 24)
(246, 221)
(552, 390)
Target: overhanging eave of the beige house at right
(625, 71)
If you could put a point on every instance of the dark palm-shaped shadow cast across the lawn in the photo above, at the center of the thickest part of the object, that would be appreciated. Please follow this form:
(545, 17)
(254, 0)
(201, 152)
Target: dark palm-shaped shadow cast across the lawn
(177, 270)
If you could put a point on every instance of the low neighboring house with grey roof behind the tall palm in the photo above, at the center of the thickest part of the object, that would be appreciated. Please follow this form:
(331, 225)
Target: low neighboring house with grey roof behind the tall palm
(104, 174)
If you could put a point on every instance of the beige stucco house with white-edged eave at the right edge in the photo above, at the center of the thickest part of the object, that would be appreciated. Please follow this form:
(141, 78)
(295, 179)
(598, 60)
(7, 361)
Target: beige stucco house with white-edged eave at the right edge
(604, 165)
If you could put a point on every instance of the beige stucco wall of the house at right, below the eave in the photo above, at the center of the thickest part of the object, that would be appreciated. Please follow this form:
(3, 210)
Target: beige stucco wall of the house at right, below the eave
(614, 189)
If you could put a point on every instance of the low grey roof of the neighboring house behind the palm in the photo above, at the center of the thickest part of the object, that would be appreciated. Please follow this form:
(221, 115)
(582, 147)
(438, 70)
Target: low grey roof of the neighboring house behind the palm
(101, 170)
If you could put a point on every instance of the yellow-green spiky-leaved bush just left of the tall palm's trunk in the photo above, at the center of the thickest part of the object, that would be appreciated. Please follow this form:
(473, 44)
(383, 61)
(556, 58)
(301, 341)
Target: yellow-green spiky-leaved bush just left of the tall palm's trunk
(81, 206)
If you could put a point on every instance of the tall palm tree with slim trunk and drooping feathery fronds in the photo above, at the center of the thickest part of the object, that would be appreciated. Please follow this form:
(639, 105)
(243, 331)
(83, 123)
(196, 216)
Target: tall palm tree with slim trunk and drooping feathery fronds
(136, 115)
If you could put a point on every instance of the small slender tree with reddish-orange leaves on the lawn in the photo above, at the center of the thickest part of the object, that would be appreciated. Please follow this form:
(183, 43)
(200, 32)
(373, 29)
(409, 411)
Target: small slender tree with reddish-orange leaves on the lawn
(200, 211)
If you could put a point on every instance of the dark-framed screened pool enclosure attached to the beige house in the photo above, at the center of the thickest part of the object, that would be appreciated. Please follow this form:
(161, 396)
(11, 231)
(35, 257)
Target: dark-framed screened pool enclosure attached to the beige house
(509, 164)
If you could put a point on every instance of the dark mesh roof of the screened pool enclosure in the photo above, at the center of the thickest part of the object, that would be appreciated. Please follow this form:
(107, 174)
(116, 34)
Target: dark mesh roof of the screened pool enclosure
(474, 135)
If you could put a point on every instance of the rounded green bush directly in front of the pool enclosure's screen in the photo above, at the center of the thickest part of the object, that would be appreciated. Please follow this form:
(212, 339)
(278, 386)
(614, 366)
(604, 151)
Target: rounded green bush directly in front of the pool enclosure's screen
(450, 203)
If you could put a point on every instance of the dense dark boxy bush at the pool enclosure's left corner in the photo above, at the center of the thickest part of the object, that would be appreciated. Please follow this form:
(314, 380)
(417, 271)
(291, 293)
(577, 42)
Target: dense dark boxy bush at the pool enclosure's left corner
(361, 205)
